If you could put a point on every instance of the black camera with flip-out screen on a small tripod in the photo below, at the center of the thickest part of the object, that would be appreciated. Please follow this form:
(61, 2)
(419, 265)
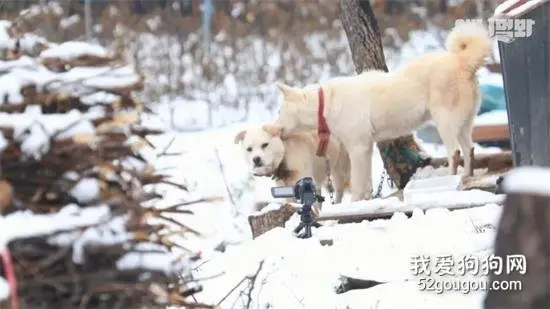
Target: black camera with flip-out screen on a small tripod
(305, 192)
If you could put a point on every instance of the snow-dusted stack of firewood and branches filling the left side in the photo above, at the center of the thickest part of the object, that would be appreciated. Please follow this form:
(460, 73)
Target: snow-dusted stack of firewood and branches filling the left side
(77, 186)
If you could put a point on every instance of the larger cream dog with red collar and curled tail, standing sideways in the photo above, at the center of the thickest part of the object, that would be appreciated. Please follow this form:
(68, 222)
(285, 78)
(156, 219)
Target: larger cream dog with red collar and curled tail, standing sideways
(375, 105)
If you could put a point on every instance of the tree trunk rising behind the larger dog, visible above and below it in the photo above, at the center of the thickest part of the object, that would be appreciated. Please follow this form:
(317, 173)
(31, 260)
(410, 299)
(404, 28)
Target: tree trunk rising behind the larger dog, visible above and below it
(401, 156)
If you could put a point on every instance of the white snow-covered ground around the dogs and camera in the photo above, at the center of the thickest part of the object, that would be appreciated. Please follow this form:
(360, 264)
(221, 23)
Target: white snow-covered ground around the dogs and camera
(297, 272)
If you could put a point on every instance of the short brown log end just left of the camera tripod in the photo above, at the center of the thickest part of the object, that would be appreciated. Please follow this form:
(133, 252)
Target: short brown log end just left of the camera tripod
(266, 220)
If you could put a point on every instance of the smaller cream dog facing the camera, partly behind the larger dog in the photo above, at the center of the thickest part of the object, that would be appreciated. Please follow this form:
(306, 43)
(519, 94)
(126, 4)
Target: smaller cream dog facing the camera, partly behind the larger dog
(292, 158)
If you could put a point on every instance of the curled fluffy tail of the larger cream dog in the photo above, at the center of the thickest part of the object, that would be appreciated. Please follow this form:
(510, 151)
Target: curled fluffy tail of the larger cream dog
(471, 42)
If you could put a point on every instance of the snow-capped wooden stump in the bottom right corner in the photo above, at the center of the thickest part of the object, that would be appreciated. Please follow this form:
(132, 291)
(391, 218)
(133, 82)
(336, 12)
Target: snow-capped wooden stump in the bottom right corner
(523, 230)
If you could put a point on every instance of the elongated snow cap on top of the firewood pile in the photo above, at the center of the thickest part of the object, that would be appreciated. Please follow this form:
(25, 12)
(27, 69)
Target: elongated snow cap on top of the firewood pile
(73, 50)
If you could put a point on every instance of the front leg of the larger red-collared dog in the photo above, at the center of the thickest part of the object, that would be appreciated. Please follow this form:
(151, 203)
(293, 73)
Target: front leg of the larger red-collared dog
(361, 181)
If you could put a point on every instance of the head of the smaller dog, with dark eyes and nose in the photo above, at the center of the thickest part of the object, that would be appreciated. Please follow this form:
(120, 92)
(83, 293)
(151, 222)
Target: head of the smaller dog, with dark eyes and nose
(262, 148)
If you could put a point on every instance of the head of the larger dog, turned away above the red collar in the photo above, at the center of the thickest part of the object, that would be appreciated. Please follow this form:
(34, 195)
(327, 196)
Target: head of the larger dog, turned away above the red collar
(293, 100)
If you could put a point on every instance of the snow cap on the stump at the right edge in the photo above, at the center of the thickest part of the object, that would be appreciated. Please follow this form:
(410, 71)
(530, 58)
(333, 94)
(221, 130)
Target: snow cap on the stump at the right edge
(528, 179)
